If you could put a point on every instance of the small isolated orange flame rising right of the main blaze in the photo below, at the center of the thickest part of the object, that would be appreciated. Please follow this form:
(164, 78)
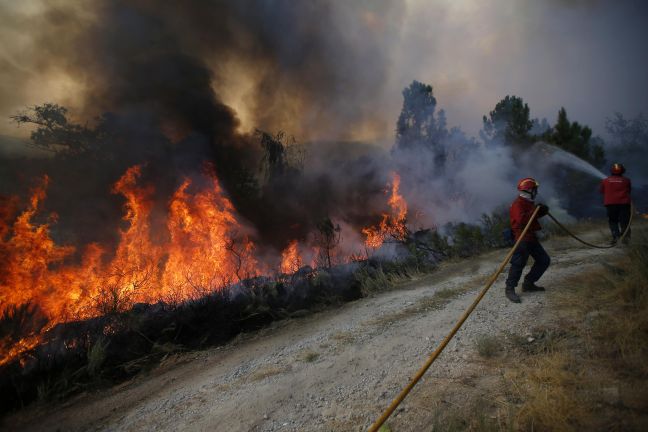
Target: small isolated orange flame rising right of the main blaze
(393, 223)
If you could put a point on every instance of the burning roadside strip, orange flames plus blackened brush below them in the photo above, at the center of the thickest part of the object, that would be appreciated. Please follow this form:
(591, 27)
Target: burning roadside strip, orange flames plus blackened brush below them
(70, 326)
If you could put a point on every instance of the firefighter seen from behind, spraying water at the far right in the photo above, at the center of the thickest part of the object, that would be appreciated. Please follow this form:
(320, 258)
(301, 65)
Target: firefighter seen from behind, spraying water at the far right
(616, 199)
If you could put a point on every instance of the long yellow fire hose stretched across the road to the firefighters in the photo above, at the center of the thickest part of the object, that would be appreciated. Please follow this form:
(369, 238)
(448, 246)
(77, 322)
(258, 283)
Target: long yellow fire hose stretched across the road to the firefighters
(403, 394)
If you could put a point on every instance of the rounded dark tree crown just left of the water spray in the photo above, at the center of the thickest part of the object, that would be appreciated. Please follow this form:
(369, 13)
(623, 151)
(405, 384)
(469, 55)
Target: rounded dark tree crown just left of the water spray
(509, 122)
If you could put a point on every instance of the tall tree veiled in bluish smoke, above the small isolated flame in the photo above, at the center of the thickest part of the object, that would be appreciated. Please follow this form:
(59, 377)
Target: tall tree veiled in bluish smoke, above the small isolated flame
(418, 127)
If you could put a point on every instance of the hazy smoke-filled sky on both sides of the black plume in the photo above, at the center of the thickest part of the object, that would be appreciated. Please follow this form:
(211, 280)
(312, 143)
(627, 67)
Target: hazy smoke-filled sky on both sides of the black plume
(586, 56)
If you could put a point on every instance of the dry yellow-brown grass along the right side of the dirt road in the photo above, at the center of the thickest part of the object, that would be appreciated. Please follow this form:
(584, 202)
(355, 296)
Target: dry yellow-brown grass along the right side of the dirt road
(587, 371)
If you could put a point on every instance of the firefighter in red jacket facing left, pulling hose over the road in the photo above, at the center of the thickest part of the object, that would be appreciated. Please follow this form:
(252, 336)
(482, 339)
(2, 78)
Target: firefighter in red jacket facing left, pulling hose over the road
(521, 211)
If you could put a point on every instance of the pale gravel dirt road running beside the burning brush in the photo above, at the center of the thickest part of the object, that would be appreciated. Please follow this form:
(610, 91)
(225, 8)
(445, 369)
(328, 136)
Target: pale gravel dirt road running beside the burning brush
(335, 370)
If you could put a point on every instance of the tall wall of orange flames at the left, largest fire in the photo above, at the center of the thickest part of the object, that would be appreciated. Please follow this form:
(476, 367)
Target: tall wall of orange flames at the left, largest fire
(206, 249)
